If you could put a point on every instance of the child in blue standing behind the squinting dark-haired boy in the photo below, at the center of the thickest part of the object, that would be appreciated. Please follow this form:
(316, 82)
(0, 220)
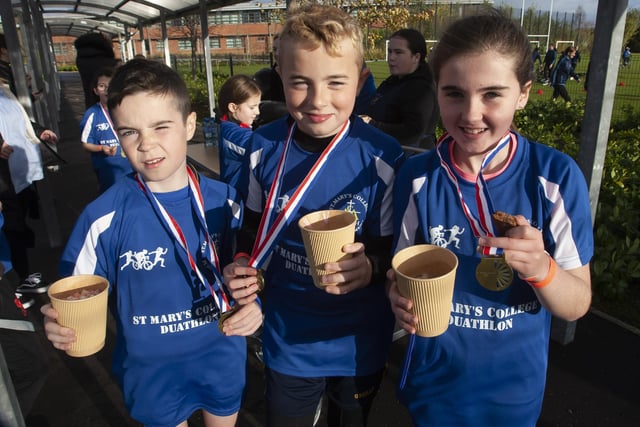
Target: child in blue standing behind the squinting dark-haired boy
(100, 139)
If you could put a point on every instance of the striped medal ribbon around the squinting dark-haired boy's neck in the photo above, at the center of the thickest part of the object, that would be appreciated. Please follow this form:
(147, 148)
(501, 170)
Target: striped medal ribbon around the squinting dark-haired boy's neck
(216, 288)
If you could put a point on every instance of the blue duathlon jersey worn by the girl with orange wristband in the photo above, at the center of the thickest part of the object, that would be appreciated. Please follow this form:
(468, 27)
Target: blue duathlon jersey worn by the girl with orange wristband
(489, 367)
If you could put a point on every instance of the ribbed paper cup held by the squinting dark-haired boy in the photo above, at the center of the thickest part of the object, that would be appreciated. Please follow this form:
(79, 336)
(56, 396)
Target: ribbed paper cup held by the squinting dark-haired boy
(86, 316)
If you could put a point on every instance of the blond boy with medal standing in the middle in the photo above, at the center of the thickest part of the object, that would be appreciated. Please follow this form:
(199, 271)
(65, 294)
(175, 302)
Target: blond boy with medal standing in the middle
(321, 157)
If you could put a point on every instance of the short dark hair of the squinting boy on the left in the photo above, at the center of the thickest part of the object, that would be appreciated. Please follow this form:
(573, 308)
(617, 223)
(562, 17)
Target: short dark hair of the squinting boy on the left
(143, 75)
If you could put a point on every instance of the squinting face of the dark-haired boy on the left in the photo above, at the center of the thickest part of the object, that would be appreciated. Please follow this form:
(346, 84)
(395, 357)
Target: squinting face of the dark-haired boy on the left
(154, 136)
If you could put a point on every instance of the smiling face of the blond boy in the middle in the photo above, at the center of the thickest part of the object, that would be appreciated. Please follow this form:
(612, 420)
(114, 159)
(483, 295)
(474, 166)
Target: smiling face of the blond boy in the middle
(320, 89)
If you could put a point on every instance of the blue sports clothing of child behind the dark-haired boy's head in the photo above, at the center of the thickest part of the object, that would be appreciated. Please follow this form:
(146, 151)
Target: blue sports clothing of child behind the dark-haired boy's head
(96, 129)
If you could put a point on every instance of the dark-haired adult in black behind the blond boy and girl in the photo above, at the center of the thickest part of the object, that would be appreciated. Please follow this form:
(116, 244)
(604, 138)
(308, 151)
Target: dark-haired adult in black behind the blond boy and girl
(405, 105)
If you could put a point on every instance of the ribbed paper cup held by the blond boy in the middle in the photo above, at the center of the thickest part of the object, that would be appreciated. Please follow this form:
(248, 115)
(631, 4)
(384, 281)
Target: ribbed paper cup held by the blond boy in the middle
(324, 233)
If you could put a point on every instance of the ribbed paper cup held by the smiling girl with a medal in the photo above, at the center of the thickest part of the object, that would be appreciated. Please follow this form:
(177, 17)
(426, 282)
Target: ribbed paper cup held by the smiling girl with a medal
(426, 274)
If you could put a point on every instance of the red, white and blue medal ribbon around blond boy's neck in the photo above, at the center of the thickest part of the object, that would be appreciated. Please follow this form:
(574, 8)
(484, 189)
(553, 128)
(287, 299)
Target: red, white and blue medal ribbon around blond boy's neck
(270, 228)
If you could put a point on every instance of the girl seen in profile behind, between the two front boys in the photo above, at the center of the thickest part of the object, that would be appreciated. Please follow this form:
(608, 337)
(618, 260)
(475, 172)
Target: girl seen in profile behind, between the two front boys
(238, 102)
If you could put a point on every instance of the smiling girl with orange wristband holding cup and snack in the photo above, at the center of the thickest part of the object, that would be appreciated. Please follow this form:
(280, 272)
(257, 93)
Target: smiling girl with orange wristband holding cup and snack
(489, 367)
